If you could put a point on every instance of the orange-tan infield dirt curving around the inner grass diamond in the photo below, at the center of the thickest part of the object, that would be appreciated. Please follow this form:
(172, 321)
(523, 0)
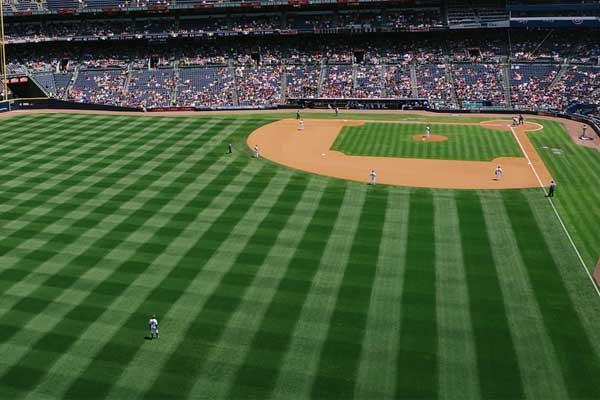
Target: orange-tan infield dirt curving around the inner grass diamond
(309, 150)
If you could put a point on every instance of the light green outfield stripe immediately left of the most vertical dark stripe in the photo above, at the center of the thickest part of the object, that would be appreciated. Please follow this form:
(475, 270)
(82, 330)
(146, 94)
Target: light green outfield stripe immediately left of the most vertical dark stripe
(377, 373)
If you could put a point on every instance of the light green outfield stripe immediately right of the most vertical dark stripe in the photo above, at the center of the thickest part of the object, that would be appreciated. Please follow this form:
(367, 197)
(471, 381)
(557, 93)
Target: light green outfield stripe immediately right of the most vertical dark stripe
(458, 376)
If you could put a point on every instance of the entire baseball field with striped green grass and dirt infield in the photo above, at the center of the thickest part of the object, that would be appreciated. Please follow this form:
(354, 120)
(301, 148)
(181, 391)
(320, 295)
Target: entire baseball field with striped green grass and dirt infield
(272, 282)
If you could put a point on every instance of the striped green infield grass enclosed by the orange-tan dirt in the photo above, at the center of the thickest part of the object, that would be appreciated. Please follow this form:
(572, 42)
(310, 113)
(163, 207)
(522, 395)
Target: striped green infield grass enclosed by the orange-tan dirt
(465, 142)
